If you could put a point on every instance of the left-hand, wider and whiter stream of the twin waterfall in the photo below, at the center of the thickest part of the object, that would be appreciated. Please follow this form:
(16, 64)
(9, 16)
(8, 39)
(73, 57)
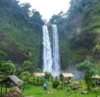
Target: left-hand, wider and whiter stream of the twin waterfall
(47, 53)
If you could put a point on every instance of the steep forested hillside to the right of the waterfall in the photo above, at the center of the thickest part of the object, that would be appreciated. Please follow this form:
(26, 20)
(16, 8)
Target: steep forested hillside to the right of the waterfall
(79, 31)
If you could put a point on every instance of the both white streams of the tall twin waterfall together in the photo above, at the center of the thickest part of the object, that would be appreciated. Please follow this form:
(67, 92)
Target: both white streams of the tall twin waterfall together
(51, 59)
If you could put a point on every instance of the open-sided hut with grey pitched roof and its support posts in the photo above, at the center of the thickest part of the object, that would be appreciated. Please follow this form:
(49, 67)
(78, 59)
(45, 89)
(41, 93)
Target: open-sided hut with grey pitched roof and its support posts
(9, 82)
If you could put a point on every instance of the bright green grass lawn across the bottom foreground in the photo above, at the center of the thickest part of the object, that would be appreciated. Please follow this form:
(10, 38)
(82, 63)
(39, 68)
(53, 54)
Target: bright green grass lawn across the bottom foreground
(38, 91)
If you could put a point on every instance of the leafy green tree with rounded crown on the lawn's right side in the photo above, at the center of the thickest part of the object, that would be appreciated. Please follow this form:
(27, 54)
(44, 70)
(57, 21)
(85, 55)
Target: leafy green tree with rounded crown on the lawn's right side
(88, 70)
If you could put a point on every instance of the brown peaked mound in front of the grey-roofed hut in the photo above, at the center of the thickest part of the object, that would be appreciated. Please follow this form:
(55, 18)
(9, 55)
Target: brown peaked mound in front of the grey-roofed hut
(15, 92)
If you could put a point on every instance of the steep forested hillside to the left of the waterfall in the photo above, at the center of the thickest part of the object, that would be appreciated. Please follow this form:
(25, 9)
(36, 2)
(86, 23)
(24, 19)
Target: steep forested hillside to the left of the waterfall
(20, 34)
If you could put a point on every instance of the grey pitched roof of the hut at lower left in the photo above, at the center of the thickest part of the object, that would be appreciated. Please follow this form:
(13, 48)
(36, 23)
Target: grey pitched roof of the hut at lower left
(13, 79)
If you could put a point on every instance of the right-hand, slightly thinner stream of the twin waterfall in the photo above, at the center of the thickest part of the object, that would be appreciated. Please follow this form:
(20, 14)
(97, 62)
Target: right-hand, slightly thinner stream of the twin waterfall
(56, 57)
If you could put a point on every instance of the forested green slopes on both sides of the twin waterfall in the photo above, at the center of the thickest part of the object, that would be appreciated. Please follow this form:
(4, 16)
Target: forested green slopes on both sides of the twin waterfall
(78, 28)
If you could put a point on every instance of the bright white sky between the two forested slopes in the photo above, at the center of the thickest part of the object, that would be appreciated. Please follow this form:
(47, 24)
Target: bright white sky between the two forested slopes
(47, 8)
